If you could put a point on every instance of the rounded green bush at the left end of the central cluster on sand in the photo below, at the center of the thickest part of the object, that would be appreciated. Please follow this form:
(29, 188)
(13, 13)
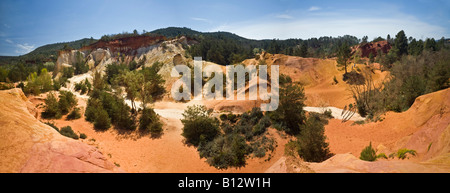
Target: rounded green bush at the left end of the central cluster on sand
(199, 125)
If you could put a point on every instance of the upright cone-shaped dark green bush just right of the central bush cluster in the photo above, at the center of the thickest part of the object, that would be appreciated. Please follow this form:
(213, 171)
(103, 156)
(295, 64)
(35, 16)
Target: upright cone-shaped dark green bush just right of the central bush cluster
(311, 141)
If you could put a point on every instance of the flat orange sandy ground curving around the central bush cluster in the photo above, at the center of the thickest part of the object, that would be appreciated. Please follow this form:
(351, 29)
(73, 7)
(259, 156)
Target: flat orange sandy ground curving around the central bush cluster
(134, 152)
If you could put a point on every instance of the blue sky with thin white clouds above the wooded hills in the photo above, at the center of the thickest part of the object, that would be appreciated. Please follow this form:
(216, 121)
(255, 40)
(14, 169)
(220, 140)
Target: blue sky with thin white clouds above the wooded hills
(28, 24)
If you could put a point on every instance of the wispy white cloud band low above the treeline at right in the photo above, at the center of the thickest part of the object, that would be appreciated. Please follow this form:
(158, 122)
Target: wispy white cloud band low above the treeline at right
(337, 24)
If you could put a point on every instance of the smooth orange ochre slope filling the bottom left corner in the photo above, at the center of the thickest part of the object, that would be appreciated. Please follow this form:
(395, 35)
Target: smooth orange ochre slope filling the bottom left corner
(27, 145)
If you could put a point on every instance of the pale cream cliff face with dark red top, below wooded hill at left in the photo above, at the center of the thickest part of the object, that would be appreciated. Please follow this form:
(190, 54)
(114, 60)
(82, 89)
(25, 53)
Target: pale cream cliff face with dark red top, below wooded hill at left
(146, 50)
